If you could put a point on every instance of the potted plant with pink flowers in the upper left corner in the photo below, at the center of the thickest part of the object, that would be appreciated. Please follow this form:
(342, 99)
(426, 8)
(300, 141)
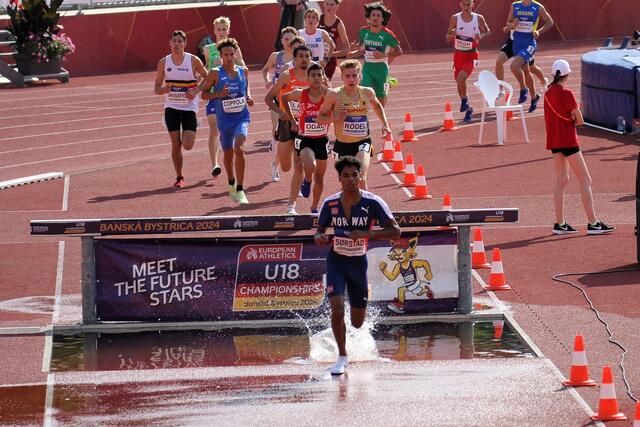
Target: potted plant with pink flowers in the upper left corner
(40, 43)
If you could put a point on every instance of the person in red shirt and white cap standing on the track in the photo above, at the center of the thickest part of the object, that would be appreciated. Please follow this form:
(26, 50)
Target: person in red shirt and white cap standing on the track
(561, 116)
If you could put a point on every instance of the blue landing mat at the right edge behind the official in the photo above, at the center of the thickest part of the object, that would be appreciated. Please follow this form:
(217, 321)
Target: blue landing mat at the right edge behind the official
(610, 86)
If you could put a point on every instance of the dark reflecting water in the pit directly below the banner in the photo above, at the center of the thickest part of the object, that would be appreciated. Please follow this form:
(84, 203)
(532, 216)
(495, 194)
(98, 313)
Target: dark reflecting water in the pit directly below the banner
(240, 347)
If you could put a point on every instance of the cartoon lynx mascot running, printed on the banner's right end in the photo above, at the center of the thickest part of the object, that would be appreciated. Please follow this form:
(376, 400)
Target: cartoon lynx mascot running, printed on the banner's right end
(403, 253)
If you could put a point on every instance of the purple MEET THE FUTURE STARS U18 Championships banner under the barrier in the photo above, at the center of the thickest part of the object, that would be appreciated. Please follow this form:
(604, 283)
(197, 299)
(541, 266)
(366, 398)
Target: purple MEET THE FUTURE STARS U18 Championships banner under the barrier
(264, 278)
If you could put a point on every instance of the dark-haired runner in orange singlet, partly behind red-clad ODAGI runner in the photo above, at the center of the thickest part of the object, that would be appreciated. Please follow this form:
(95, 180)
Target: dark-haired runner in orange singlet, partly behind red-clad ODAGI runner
(291, 79)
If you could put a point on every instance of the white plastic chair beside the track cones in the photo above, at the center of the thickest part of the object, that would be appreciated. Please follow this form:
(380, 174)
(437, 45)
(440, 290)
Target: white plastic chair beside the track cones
(489, 86)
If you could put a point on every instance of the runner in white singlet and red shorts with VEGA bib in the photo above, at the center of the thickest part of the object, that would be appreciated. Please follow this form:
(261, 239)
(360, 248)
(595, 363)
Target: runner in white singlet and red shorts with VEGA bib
(466, 28)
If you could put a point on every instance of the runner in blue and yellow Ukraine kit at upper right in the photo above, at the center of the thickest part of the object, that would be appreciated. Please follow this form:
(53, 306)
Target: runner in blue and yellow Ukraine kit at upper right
(524, 18)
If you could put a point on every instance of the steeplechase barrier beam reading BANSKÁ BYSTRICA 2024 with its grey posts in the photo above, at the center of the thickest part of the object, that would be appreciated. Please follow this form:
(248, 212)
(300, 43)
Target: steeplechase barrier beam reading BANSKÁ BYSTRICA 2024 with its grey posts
(89, 229)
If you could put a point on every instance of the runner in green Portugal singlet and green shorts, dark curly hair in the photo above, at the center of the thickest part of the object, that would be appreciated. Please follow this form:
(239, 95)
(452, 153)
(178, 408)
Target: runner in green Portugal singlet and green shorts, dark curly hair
(380, 47)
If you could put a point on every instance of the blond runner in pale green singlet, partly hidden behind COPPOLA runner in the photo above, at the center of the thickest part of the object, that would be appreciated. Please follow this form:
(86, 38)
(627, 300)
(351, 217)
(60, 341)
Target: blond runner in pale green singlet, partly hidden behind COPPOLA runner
(221, 28)
